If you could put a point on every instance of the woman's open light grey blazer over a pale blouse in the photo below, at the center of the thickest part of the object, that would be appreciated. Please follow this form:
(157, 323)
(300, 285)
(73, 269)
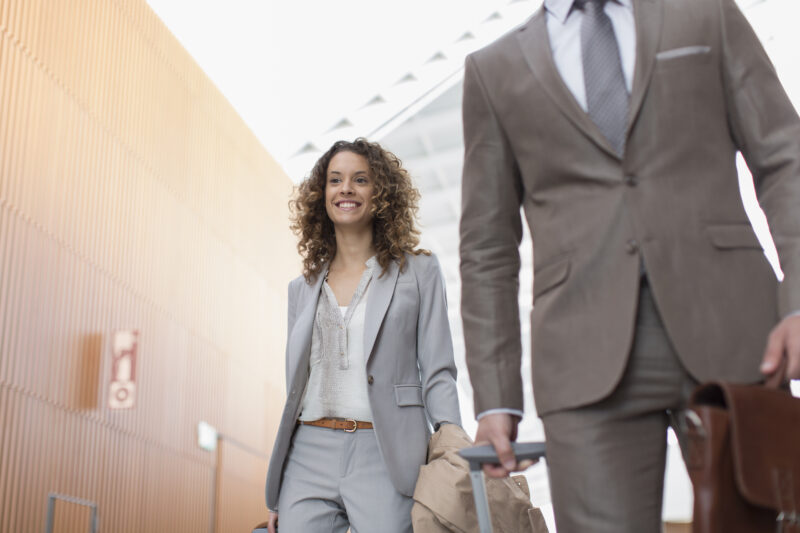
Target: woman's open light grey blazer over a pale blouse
(410, 368)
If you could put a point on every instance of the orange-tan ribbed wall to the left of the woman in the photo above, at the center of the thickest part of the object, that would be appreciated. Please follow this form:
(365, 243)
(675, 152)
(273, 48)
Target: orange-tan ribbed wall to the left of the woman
(132, 196)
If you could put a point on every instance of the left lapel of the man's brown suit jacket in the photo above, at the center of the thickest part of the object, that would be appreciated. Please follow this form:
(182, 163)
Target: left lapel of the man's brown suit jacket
(535, 44)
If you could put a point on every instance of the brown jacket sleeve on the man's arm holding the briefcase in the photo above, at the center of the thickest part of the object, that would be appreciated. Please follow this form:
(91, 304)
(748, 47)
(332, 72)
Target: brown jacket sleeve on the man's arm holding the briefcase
(766, 129)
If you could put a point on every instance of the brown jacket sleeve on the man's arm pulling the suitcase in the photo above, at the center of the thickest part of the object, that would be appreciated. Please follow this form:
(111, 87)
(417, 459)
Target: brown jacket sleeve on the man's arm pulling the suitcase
(491, 231)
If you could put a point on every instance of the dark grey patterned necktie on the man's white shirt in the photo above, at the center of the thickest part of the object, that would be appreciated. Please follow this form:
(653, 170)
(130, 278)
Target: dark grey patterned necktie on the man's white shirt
(606, 93)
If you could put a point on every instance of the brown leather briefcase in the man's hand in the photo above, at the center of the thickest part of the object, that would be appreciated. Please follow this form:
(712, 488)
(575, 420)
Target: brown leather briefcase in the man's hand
(743, 459)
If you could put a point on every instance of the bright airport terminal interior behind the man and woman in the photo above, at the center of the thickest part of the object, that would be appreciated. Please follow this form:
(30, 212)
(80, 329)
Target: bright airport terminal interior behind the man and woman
(148, 150)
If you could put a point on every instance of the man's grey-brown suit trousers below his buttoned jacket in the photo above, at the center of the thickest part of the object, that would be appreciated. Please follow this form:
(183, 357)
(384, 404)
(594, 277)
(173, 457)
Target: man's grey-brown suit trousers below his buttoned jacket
(606, 460)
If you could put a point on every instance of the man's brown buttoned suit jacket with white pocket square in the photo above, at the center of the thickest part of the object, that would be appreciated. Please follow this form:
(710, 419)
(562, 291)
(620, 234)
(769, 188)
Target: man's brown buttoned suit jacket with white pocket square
(703, 88)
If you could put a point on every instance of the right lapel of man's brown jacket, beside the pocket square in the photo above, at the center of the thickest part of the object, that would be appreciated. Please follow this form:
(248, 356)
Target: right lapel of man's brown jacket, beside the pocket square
(648, 16)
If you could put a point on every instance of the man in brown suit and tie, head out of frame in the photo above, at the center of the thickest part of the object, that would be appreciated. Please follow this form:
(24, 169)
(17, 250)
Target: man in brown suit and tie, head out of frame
(615, 126)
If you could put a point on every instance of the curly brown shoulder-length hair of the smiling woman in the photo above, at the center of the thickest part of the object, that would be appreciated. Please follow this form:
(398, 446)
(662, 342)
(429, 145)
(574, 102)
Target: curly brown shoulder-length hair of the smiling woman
(394, 210)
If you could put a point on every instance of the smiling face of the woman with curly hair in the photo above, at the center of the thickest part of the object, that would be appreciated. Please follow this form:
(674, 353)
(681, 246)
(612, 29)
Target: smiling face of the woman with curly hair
(348, 190)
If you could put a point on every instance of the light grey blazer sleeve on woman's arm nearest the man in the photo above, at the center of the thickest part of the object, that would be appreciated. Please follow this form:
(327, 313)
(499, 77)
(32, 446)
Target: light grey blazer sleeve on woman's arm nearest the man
(435, 347)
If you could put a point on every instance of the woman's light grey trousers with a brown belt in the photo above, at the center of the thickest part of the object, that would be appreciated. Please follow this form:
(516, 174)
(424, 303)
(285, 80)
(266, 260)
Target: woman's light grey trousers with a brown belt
(334, 480)
